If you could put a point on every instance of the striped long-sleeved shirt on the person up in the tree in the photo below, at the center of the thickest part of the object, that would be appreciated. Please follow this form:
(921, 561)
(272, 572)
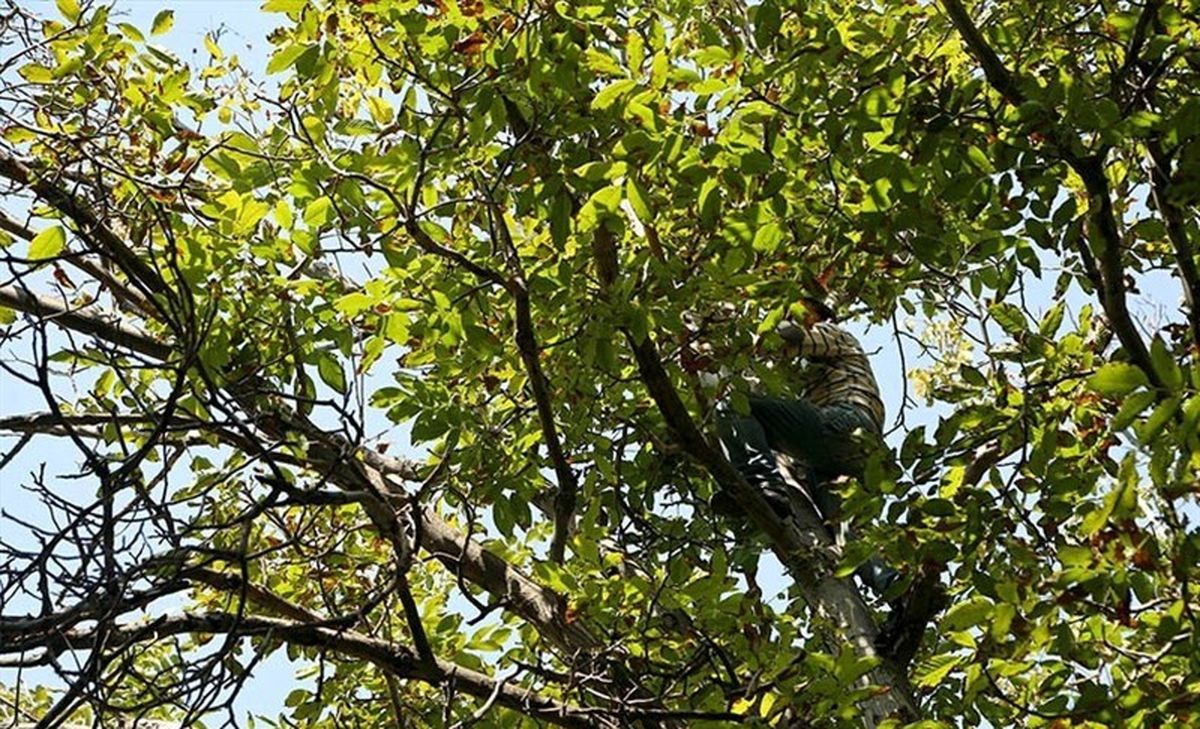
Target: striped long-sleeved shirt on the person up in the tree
(838, 371)
